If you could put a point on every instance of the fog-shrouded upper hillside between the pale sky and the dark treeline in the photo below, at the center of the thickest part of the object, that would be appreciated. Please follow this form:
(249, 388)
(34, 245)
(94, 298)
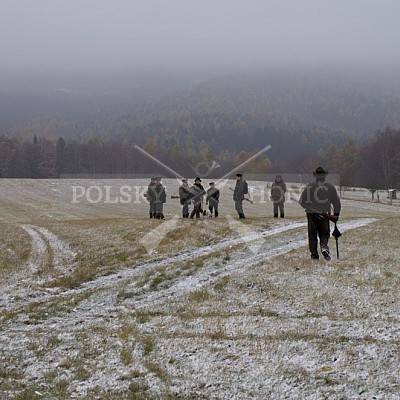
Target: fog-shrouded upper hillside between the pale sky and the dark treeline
(349, 102)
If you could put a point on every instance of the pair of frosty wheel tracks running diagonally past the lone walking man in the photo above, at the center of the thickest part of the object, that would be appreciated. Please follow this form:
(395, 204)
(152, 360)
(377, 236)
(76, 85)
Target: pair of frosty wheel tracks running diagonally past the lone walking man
(204, 276)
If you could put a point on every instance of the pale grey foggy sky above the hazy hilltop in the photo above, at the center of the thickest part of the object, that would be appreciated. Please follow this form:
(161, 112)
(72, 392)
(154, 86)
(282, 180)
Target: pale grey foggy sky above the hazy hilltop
(124, 34)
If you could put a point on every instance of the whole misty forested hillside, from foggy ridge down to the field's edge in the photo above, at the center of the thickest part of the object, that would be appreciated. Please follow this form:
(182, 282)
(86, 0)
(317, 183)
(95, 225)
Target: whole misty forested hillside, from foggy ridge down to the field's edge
(307, 117)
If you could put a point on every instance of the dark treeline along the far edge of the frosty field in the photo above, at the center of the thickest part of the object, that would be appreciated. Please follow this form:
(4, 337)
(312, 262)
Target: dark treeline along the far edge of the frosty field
(374, 164)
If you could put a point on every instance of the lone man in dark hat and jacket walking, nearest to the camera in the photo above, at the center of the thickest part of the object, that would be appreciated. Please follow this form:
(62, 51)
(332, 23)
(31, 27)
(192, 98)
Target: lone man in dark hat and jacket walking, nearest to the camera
(317, 199)
